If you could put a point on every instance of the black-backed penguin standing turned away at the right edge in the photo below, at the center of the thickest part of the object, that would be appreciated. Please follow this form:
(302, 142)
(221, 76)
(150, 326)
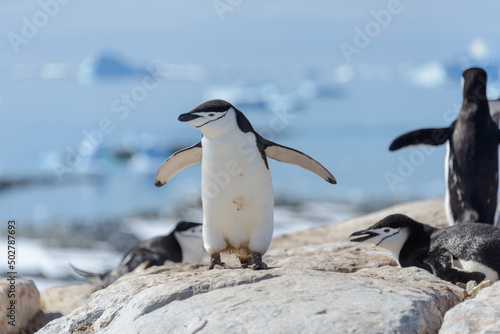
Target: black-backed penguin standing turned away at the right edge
(471, 164)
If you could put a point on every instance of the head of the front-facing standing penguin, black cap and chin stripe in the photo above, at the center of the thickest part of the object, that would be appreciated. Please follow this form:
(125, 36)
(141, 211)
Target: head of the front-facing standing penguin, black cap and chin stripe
(213, 118)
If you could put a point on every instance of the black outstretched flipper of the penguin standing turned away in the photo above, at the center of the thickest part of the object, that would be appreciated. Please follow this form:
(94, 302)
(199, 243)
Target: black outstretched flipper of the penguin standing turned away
(434, 137)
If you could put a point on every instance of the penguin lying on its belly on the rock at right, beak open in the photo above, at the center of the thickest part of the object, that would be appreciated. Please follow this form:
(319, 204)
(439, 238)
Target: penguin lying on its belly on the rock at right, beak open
(459, 253)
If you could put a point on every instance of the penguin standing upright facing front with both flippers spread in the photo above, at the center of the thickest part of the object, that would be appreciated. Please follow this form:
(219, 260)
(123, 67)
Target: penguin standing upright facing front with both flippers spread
(236, 188)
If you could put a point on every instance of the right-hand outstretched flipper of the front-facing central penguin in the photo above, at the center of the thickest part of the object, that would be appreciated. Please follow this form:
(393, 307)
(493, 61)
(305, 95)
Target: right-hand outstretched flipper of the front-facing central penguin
(294, 157)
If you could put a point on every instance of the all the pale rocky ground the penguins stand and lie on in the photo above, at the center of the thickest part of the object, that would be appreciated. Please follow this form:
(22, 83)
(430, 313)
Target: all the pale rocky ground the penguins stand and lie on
(317, 283)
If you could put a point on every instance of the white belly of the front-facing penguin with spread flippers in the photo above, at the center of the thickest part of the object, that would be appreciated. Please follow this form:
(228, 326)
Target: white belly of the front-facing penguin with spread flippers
(237, 195)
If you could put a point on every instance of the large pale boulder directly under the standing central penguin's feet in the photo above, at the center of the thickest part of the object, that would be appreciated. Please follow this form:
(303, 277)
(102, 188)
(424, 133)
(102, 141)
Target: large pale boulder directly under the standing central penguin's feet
(292, 296)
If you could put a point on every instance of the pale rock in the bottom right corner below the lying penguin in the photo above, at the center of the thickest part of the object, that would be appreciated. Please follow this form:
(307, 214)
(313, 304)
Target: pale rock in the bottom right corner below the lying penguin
(478, 315)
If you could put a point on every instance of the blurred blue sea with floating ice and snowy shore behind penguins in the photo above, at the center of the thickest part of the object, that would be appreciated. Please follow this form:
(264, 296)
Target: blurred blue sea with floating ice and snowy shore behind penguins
(88, 111)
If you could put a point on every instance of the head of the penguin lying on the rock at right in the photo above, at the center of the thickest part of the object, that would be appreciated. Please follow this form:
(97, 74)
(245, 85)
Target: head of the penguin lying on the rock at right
(390, 233)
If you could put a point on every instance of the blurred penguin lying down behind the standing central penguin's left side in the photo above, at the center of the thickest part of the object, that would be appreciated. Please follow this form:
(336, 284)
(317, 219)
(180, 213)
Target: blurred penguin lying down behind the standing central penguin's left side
(183, 244)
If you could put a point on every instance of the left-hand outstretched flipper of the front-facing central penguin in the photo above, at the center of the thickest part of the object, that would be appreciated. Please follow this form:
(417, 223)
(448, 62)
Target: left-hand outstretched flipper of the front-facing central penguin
(178, 161)
